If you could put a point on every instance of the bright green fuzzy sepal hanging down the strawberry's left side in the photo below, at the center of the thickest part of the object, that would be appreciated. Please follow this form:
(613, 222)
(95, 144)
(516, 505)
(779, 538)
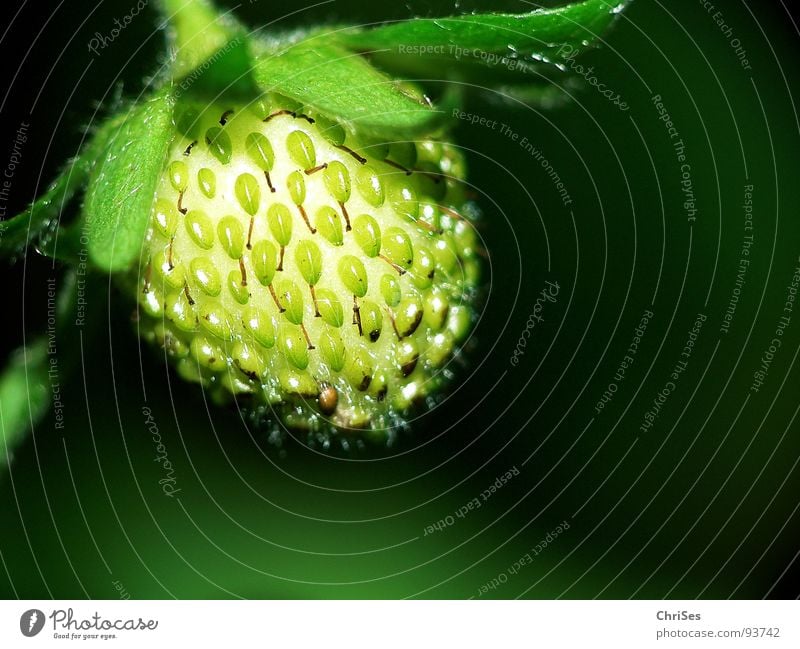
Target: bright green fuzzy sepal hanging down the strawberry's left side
(122, 186)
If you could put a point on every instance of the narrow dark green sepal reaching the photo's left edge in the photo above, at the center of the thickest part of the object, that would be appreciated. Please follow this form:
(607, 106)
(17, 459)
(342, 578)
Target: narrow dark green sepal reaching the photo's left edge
(25, 228)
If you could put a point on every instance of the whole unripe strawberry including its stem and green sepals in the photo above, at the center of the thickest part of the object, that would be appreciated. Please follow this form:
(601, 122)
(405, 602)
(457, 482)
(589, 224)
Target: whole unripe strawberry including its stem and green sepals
(312, 263)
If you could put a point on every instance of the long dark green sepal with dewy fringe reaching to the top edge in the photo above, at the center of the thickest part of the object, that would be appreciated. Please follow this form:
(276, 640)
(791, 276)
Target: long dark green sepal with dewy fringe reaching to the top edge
(494, 40)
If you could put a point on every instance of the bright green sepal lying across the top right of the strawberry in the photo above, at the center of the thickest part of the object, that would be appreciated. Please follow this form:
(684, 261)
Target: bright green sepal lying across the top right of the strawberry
(342, 85)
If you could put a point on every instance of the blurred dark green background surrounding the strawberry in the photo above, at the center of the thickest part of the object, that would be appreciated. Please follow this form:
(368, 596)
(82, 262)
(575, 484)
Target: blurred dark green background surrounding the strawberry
(702, 505)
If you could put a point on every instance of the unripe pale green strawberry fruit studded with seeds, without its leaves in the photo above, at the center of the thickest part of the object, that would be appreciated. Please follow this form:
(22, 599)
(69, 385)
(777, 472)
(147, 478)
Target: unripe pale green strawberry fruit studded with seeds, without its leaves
(329, 278)
